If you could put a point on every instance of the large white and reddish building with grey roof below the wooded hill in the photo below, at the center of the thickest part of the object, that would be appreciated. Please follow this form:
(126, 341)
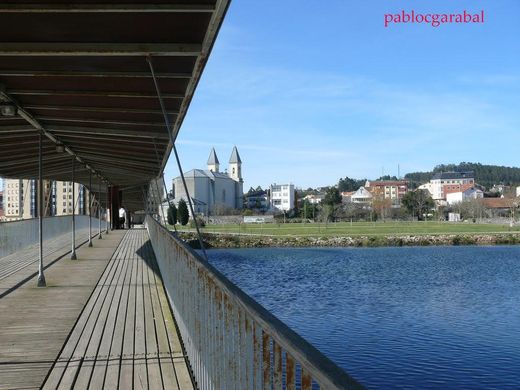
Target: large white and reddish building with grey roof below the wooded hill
(443, 183)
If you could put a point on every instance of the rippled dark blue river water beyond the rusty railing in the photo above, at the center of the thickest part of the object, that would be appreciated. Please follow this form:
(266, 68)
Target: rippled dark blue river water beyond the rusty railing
(422, 318)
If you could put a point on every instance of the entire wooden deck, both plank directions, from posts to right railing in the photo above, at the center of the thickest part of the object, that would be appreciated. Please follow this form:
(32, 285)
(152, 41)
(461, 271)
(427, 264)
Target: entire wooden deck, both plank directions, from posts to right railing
(115, 332)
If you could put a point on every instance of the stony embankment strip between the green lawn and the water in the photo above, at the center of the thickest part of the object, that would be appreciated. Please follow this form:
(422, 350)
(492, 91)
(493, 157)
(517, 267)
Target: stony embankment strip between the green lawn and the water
(254, 241)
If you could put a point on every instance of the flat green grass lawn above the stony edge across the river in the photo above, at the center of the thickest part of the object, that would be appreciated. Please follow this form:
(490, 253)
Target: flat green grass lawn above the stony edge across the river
(356, 228)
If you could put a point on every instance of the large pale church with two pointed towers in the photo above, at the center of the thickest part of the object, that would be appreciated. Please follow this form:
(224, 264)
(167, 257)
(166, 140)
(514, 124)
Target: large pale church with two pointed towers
(210, 189)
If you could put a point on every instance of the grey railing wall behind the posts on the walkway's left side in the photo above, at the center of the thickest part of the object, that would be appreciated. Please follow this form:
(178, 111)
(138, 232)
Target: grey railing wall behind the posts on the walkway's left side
(20, 234)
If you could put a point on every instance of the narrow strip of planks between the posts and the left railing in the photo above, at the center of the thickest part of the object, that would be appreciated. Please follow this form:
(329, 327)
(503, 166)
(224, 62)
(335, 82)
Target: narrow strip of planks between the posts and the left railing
(17, 267)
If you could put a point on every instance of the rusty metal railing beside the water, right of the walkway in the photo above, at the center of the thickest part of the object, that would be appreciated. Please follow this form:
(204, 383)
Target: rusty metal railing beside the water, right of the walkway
(232, 342)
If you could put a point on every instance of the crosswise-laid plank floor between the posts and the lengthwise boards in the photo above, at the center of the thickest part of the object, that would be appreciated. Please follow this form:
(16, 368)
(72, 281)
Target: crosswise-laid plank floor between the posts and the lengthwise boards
(35, 322)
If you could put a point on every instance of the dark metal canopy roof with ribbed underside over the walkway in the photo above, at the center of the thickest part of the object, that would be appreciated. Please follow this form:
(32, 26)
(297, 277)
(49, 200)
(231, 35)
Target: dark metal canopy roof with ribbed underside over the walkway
(78, 72)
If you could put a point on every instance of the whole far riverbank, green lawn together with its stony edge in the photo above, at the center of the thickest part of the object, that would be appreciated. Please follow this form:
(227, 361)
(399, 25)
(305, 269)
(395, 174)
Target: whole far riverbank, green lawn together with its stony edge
(356, 234)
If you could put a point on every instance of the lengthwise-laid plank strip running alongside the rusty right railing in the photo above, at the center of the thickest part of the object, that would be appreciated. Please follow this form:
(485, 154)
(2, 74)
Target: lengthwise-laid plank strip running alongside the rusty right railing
(125, 337)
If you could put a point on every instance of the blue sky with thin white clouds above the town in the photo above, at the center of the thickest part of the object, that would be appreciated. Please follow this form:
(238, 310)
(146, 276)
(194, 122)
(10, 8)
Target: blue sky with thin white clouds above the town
(311, 91)
